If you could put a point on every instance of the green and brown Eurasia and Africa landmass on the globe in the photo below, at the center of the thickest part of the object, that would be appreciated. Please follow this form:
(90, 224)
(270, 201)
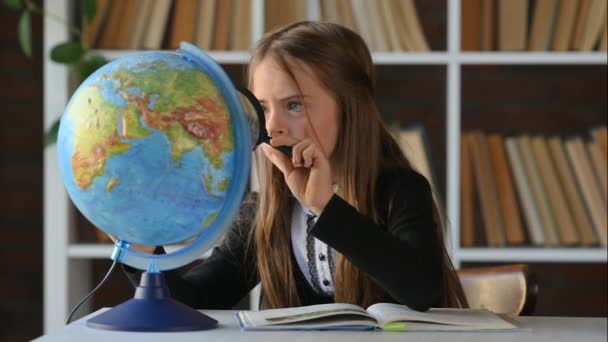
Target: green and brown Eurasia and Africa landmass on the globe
(124, 104)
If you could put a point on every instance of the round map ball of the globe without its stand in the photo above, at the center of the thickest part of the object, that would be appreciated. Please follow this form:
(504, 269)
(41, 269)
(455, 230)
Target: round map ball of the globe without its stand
(146, 148)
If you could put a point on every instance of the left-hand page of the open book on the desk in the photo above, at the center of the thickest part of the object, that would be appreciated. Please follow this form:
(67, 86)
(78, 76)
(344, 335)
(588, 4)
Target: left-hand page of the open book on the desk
(302, 314)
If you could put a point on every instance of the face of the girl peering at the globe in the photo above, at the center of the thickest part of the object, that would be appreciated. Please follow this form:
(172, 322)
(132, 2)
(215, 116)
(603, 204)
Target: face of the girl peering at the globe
(314, 115)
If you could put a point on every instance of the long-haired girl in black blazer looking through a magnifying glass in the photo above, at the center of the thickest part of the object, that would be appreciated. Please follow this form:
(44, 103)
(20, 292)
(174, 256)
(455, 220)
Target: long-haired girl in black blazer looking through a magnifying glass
(346, 219)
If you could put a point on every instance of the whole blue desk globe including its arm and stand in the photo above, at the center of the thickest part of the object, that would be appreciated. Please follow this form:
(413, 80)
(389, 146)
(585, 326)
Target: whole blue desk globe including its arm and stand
(155, 148)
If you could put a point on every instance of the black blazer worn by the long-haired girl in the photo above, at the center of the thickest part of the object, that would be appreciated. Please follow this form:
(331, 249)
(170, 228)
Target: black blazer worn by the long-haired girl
(402, 255)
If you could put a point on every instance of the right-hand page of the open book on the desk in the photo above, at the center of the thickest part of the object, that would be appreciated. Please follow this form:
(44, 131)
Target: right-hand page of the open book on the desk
(391, 315)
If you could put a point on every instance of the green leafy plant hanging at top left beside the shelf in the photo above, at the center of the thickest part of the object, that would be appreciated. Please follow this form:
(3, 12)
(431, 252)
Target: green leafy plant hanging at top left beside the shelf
(75, 53)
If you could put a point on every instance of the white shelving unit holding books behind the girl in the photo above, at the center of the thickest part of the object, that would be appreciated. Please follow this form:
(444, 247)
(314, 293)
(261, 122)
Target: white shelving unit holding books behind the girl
(66, 264)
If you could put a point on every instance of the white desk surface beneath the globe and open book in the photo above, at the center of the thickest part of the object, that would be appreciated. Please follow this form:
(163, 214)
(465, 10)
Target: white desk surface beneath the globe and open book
(537, 329)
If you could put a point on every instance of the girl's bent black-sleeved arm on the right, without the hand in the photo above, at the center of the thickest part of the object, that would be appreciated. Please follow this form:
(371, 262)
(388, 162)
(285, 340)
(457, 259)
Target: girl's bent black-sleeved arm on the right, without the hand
(403, 255)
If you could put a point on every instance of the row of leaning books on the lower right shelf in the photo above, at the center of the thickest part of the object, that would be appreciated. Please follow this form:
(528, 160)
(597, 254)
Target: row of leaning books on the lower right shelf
(534, 190)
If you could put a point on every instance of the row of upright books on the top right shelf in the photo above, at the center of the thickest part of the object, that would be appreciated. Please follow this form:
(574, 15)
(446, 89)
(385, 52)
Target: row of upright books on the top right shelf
(534, 25)
